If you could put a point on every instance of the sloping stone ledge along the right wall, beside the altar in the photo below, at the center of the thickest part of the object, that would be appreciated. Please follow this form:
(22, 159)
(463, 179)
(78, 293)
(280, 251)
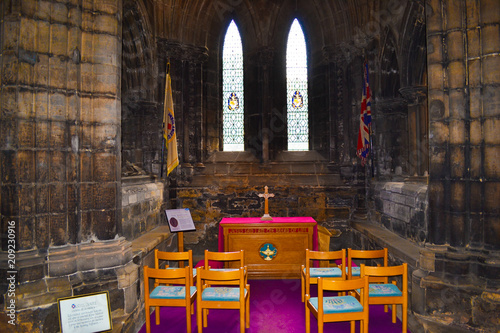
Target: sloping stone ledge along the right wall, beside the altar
(400, 247)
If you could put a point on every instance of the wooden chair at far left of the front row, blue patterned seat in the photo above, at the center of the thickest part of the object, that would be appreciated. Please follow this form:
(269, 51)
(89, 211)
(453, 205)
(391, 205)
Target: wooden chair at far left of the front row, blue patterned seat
(169, 295)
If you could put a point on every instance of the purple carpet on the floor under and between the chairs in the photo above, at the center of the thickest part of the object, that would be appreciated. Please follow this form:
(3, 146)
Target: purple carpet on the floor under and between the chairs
(275, 307)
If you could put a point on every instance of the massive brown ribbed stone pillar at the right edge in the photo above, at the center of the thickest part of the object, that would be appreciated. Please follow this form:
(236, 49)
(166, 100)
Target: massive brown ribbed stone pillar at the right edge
(464, 148)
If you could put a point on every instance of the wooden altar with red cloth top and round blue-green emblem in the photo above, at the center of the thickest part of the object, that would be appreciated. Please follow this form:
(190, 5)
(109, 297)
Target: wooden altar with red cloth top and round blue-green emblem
(273, 249)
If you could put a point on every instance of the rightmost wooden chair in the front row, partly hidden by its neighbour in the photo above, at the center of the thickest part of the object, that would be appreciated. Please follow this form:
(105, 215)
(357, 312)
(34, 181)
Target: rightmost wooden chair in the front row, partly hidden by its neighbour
(389, 293)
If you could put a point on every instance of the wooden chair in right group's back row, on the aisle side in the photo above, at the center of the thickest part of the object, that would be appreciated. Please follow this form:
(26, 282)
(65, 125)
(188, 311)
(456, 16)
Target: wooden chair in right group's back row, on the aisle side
(309, 274)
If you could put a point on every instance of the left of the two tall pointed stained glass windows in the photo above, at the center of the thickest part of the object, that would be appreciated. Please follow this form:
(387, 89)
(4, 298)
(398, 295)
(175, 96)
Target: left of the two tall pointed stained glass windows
(232, 90)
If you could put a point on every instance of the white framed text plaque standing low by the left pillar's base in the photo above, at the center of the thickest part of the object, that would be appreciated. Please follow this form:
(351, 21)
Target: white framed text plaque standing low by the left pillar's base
(85, 313)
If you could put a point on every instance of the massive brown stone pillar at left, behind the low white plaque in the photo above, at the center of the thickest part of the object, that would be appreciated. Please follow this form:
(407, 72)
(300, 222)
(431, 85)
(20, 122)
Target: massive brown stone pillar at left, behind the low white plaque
(60, 157)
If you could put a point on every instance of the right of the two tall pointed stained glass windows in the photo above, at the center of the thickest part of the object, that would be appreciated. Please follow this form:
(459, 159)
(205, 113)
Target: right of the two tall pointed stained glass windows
(296, 87)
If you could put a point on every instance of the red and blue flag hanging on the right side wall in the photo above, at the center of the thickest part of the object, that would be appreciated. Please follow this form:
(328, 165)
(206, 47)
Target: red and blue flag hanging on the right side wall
(365, 119)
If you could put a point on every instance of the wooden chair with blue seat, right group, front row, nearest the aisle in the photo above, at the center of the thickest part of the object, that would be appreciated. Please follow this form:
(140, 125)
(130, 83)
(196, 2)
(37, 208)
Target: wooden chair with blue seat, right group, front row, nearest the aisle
(352, 307)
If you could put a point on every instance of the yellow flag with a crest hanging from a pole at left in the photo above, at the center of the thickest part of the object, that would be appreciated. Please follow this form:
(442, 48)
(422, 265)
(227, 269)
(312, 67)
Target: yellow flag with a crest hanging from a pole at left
(169, 128)
